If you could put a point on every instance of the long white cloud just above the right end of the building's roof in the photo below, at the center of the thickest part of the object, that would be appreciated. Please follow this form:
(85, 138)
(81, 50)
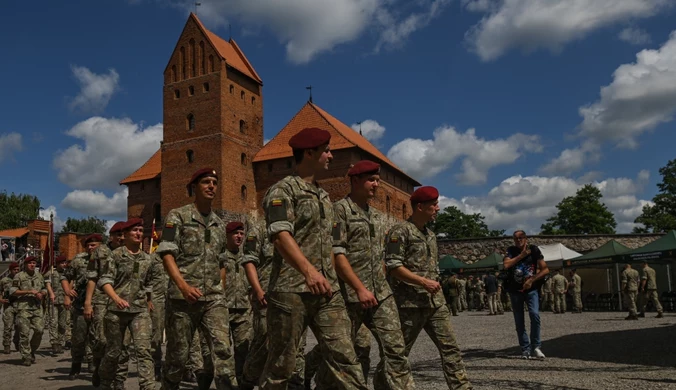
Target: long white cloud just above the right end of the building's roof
(427, 158)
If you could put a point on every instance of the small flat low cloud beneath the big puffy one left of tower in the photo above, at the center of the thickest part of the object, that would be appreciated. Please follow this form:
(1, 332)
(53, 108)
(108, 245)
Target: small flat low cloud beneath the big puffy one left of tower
(96, 203)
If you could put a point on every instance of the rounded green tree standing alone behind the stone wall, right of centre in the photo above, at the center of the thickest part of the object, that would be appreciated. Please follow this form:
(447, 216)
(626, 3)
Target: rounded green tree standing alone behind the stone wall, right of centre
(583, 213)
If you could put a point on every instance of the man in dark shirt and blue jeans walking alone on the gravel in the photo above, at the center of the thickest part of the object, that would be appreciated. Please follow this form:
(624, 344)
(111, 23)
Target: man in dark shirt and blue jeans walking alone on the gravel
(525, 266)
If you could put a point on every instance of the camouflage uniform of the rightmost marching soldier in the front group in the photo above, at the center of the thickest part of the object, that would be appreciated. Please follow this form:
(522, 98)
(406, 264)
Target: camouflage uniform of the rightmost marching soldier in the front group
(408, 246)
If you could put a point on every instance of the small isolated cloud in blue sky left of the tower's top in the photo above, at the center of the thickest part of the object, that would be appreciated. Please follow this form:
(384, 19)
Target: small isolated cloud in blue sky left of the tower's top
(96, 90)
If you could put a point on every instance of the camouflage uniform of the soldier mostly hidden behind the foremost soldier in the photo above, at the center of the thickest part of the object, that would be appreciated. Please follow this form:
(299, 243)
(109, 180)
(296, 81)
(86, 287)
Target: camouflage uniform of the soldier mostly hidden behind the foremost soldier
(258, 250)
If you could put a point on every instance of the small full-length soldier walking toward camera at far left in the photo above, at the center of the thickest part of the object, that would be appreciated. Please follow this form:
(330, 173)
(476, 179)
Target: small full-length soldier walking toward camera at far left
(29, 289)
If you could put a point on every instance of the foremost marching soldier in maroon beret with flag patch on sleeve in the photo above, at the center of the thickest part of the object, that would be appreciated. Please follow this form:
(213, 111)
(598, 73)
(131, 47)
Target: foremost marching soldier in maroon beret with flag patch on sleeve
(300, 219)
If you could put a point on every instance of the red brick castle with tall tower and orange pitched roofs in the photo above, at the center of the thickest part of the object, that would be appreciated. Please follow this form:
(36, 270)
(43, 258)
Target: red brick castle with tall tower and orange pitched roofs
(213, 117)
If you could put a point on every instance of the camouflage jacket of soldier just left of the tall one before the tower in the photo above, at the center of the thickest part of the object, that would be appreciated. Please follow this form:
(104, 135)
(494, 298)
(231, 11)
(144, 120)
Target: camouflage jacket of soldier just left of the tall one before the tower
(131, 276)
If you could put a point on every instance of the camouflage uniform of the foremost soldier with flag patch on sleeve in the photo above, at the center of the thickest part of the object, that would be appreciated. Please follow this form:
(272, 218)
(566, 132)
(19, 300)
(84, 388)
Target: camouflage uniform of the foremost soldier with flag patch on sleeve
(304, 210)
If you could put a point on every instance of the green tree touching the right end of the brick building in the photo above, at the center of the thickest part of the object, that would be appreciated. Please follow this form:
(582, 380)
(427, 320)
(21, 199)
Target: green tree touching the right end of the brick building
(456, 224)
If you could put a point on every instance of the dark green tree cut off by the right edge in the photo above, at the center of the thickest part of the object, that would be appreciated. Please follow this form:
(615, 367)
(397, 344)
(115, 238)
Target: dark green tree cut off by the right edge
(661, 216)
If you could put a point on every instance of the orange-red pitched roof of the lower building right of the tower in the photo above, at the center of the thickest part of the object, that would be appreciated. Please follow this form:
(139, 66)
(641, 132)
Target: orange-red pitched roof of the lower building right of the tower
(342, 137)
